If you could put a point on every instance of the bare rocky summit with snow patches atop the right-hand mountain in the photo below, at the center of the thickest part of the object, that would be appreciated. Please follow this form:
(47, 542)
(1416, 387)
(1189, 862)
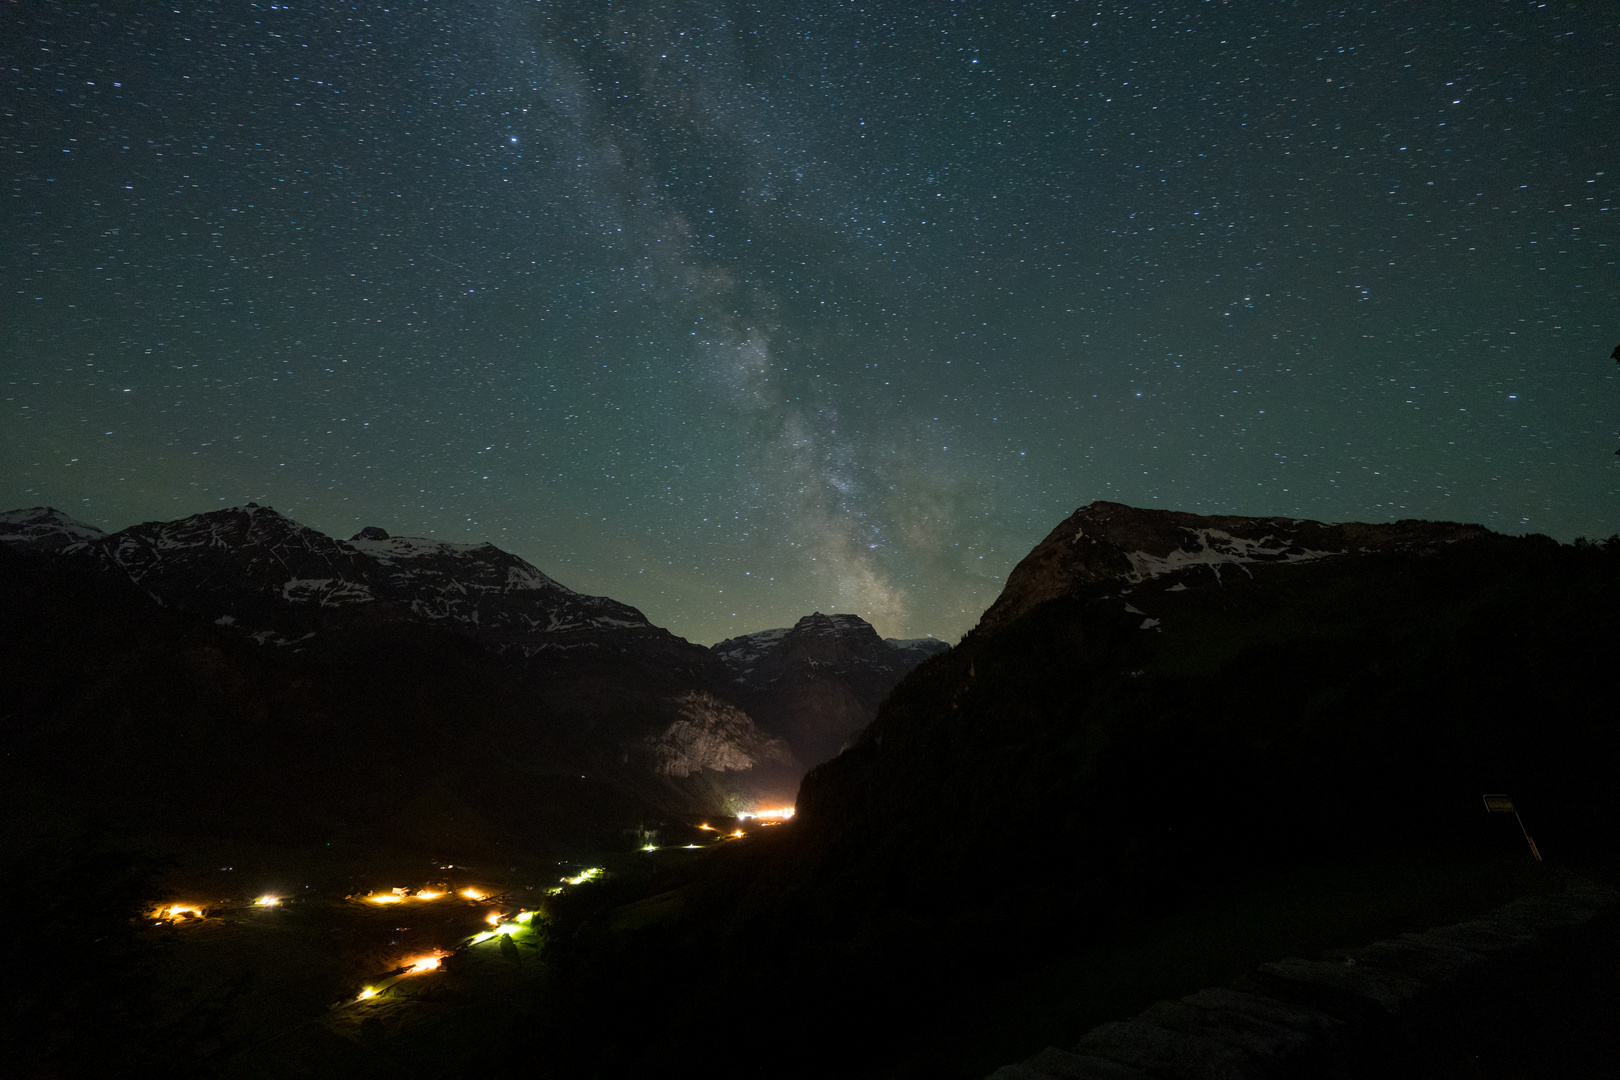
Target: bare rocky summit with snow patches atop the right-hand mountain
(1114, 542)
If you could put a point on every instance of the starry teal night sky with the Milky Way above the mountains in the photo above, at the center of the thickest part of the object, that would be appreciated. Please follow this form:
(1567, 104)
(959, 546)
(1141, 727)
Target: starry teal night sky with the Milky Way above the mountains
(736, 312)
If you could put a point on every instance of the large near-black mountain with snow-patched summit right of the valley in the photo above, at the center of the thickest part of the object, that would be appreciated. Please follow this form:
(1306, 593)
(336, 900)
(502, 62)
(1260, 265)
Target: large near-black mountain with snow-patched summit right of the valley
(1169, 700)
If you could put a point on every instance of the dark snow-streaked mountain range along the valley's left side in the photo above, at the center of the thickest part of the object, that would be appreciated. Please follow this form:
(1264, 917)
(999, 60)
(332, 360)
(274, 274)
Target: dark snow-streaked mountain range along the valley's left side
(255, 619)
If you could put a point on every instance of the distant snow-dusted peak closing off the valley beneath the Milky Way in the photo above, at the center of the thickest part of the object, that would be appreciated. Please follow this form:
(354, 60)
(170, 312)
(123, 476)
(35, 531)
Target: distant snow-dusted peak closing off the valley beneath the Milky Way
(819, 682)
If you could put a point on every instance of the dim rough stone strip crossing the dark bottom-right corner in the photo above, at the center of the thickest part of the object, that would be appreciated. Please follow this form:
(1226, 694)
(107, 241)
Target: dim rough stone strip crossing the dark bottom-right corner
(1310, 1018)
